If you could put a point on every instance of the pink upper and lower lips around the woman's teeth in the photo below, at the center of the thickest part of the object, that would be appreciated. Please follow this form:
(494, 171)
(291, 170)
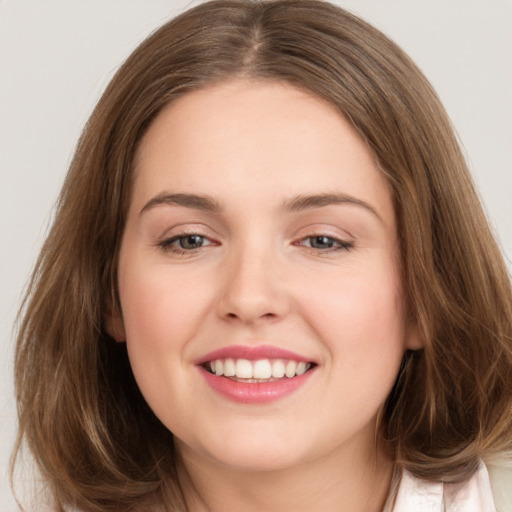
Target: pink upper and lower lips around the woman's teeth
(253, 392)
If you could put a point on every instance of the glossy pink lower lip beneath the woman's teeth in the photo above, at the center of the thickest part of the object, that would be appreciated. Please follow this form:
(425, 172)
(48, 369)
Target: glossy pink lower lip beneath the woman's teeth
(254, 392)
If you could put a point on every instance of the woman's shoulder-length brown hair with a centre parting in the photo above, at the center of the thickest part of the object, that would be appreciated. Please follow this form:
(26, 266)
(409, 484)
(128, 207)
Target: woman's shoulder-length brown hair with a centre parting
(94, 438)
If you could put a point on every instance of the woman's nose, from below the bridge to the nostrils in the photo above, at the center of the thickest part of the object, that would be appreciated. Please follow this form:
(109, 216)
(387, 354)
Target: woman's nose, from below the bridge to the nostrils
(254, 289)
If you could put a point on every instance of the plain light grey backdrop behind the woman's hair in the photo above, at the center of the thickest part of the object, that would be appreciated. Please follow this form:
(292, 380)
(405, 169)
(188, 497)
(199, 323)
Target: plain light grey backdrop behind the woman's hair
(56, 57)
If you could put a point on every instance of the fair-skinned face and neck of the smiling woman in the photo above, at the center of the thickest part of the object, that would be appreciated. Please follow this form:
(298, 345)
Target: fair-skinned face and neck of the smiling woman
(257, 267)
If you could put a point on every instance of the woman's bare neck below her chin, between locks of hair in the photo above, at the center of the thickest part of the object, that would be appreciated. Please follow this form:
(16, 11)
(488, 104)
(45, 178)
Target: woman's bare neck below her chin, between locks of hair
(339, 481)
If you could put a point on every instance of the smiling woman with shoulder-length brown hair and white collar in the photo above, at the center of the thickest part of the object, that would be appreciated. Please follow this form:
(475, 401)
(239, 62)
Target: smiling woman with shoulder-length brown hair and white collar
(269, 283)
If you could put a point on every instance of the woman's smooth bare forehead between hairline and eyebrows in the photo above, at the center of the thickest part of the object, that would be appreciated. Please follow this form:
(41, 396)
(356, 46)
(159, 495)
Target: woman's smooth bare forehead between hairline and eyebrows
(256, 137)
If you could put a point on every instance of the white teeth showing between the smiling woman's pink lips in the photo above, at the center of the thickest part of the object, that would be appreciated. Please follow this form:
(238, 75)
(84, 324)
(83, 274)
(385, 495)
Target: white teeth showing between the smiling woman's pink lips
(261, 370)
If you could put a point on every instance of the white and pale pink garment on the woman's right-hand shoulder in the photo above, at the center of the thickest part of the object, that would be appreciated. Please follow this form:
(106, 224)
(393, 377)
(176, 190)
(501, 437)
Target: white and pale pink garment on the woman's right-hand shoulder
(488, 490)
